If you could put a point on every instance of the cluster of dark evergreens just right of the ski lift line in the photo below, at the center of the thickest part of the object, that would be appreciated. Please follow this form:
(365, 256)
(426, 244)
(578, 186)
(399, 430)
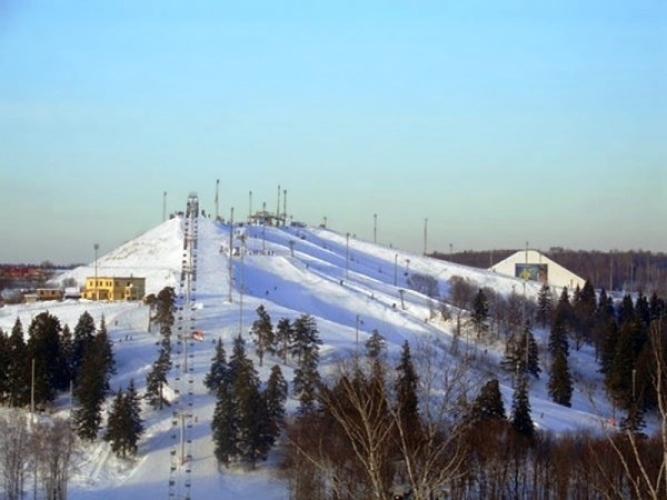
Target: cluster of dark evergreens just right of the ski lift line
(249, 414)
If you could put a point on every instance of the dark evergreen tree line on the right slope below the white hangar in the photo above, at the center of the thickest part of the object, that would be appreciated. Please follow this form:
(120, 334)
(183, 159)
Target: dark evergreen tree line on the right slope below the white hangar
(617, 330)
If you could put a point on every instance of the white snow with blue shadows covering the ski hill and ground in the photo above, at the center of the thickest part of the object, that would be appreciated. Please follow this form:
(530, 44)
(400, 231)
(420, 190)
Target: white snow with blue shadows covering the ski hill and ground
(350, 286)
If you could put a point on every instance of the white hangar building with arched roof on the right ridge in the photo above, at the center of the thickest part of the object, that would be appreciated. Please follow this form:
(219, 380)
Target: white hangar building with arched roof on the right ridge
(535, 266)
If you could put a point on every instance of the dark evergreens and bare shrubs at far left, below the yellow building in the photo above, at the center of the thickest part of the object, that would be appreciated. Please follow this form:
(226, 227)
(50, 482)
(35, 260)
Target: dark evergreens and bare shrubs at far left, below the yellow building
(33, 373)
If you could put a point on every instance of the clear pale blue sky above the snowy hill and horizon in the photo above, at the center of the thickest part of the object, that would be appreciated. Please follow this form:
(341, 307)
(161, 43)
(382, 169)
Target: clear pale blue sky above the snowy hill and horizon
(500, 122)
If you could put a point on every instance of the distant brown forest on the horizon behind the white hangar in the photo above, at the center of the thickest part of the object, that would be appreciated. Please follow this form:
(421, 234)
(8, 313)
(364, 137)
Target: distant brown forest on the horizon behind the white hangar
(615, 270)
